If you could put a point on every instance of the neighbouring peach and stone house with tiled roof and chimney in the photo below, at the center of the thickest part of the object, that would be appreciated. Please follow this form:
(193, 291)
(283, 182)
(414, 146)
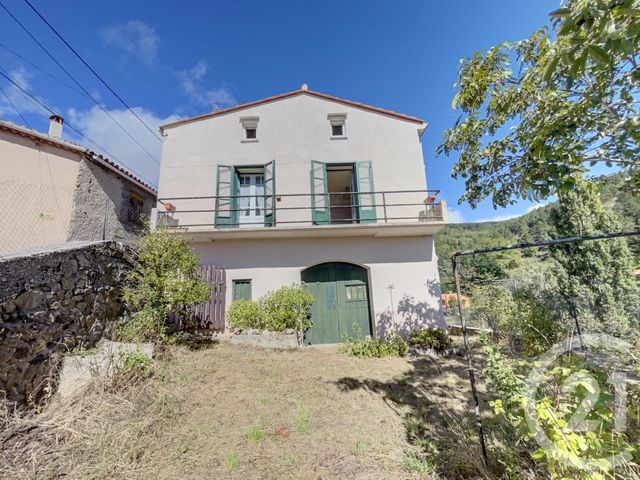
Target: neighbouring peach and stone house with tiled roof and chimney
(54, 191)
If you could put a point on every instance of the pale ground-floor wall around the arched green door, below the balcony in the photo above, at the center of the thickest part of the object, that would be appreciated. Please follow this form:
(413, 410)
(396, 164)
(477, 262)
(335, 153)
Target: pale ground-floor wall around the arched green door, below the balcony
(408, 264)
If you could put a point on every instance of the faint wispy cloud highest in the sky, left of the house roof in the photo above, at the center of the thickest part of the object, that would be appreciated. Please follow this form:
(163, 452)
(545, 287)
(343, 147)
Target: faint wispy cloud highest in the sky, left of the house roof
(135, 38)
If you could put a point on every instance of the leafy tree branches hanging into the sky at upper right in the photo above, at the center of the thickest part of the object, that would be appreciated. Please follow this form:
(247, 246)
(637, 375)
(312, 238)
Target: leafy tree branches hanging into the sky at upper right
(535, 114)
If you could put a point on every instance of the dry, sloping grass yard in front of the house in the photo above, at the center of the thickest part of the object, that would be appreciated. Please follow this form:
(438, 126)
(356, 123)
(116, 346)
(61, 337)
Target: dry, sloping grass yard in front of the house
(231, 412)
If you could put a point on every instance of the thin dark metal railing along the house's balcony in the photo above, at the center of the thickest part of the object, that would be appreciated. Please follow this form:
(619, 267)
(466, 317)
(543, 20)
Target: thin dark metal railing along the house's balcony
(331, 208)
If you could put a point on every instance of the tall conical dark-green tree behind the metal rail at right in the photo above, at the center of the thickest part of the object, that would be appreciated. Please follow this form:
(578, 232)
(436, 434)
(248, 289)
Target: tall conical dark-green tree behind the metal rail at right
(594, 277)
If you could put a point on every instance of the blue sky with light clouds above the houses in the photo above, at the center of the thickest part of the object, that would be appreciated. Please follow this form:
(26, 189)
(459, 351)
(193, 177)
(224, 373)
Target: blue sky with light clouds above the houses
(175, 59)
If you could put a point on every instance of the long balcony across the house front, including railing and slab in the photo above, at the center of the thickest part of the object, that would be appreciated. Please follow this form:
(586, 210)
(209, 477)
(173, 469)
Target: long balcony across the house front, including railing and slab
(376, 213)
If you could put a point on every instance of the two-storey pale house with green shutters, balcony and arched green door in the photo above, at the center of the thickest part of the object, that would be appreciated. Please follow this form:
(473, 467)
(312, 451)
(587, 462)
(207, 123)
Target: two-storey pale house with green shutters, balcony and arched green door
(306, 187)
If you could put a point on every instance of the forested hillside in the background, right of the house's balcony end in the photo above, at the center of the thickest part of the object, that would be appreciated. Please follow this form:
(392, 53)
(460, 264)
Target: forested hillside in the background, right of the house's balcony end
(535, 225)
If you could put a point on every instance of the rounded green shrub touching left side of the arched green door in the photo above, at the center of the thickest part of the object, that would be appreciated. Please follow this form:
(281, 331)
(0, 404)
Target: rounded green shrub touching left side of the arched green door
(287, 307)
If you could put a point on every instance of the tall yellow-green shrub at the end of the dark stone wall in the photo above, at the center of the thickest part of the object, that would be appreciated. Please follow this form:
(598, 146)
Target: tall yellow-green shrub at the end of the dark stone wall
(164, 280)
